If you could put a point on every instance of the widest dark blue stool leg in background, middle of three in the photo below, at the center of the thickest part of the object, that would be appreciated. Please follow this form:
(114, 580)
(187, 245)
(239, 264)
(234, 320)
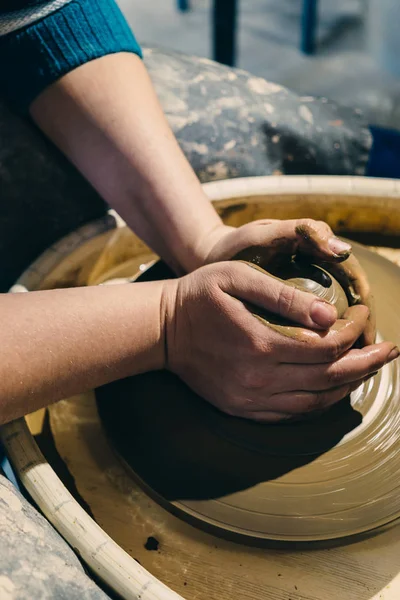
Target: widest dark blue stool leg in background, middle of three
(224, 24)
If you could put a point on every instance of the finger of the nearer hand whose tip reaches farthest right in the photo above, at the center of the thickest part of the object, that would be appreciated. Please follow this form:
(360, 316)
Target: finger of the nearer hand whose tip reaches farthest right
(353, 366)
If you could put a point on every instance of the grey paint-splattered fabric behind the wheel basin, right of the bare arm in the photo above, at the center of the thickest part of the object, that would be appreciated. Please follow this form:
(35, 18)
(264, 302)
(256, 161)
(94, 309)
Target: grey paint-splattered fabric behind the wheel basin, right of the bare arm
(233, 124)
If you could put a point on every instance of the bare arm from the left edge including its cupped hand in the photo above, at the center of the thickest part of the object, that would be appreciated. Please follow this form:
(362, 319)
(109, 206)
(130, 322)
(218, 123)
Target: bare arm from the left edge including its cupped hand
(54, 344)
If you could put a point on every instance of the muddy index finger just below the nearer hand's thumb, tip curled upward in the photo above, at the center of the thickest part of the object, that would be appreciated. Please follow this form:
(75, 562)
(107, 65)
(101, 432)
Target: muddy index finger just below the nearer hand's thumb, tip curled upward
(304, 346)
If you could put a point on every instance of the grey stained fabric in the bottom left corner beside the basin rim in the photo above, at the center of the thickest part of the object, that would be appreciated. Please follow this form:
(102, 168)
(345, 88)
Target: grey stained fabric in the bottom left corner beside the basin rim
(35, 563)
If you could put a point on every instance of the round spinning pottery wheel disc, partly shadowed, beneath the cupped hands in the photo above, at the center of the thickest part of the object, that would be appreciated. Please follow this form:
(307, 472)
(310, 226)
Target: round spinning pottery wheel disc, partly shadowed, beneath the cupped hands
(324, 478)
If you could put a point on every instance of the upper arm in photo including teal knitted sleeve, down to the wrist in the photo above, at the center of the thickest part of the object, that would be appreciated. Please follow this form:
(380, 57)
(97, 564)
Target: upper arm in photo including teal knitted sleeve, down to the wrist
(77, 69)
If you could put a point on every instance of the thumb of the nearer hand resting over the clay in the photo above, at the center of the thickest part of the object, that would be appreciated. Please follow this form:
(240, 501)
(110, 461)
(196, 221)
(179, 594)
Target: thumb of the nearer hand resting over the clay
(251, 284)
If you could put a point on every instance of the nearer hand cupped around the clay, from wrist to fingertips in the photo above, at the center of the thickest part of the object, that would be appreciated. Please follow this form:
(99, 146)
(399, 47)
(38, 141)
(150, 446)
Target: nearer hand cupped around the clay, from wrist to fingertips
(246, 368)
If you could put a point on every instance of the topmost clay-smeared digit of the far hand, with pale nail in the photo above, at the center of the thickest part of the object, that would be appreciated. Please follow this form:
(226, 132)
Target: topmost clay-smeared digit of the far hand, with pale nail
(264, 241)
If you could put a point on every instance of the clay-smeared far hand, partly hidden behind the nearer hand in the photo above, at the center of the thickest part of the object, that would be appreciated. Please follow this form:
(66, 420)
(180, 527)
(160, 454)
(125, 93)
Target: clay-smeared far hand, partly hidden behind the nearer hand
(272, 239)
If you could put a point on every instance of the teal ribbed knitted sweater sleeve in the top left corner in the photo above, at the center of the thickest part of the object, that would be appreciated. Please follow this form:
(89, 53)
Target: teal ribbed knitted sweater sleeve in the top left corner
(40, 41)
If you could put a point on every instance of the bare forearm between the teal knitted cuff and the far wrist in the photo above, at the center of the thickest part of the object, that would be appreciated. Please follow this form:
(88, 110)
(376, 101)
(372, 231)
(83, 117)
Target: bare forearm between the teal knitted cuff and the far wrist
(106, 118)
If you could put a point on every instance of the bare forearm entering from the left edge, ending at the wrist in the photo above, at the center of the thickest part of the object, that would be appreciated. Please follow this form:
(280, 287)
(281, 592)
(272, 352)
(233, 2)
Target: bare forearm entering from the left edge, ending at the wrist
(58, 343)
